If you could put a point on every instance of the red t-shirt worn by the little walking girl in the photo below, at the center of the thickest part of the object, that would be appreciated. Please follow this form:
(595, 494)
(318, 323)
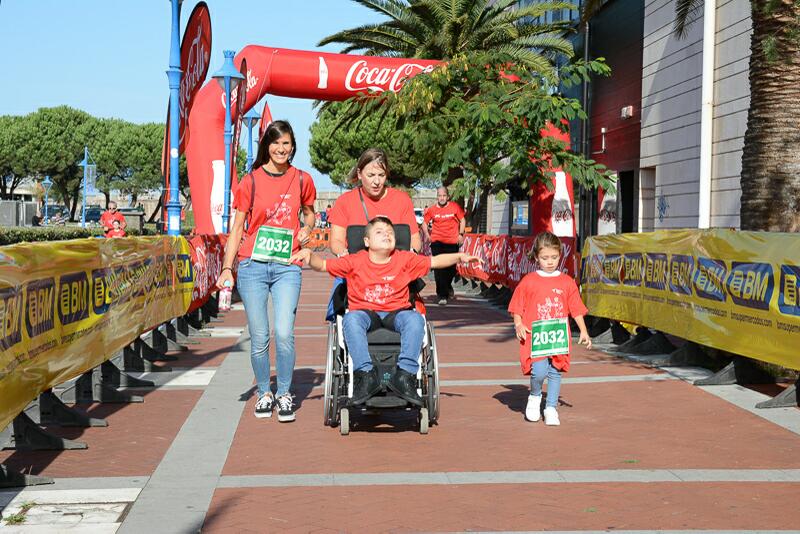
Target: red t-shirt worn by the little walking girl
(538, 297)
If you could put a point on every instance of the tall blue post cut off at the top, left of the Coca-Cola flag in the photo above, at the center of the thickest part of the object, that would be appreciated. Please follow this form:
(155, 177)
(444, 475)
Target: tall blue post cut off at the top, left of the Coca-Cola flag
(174, 75)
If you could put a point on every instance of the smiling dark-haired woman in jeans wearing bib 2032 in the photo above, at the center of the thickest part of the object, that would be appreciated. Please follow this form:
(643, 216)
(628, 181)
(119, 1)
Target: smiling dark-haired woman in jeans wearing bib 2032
(269, 199)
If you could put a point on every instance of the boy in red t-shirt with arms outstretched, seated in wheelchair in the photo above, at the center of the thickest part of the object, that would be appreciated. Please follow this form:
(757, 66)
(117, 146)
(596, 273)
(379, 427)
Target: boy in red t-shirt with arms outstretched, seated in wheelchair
(377, 289)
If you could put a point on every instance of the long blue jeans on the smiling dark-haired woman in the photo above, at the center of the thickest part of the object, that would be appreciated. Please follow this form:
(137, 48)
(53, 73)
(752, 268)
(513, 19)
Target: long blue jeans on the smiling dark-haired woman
(256, 281)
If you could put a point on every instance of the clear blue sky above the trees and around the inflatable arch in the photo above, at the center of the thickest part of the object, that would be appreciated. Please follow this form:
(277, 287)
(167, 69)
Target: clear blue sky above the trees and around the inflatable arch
(109, 57)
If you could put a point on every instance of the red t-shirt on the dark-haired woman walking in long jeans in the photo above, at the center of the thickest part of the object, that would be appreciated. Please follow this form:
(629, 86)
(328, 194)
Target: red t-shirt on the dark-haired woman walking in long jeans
(277, 203)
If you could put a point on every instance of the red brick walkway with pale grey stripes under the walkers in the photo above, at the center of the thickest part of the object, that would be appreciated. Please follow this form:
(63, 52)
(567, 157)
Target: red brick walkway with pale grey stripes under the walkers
(639, 449)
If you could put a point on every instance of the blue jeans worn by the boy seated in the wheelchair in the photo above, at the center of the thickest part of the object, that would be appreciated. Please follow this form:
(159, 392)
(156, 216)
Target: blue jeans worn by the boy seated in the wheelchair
(409, 323)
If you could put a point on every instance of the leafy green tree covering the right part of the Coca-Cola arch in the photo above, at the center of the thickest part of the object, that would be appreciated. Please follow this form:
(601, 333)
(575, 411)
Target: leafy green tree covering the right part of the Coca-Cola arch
(482, 115)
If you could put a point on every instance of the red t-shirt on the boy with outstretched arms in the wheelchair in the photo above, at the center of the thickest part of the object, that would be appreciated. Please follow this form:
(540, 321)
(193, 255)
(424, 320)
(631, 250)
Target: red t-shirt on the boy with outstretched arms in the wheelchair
(375, 286)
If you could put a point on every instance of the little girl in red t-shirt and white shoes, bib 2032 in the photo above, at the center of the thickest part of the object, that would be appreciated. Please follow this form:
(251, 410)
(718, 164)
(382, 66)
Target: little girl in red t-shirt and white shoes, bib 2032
(541, 306)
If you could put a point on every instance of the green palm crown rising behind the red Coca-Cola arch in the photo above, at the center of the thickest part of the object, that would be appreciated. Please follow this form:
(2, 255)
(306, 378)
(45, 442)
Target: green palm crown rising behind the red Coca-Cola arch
(440, 29)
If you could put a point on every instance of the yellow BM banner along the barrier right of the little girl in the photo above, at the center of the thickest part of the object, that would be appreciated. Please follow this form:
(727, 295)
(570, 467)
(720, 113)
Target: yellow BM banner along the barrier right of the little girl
(732, 290)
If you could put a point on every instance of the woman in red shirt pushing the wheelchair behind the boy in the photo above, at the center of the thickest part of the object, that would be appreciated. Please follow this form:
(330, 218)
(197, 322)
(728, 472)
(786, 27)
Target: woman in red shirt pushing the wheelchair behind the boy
(372, 198)
